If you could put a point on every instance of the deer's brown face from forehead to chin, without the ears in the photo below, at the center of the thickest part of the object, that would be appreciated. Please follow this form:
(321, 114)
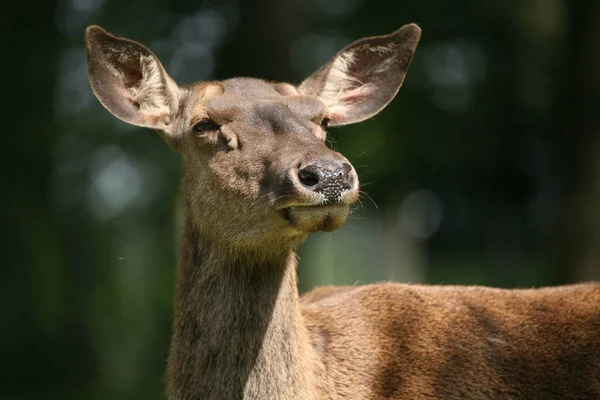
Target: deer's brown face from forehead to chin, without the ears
(261, 145)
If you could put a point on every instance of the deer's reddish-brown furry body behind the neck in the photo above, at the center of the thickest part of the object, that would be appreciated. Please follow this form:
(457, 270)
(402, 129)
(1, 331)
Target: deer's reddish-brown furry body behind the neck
(459, 342)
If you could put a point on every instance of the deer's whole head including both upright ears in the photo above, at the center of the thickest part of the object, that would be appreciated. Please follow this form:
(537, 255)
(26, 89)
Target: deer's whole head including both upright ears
(256, 167)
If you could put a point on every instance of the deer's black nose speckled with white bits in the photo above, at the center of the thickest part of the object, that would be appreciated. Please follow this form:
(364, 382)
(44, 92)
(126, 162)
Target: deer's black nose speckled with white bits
(330, 179)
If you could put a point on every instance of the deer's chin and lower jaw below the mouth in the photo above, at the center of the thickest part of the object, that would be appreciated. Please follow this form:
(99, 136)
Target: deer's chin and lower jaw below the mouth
(309, 219)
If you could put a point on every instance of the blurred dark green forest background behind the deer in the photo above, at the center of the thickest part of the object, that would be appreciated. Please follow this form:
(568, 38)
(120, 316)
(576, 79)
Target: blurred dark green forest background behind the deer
(485, 169)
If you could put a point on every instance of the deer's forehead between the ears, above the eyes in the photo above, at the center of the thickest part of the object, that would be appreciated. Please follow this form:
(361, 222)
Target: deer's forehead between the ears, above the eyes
(247, 97)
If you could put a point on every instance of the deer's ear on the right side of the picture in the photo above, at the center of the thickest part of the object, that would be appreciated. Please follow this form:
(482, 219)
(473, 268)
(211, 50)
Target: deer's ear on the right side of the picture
(361, 79)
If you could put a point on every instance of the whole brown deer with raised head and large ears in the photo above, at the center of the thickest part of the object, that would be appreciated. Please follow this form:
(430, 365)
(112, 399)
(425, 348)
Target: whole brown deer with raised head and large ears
(257, 179)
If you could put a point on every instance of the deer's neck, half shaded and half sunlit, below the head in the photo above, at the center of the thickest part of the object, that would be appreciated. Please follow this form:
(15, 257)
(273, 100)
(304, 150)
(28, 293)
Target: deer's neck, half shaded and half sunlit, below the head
(238, 332)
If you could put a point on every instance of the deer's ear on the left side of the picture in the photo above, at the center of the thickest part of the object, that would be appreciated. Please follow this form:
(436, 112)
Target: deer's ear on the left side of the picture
(130, 82)
